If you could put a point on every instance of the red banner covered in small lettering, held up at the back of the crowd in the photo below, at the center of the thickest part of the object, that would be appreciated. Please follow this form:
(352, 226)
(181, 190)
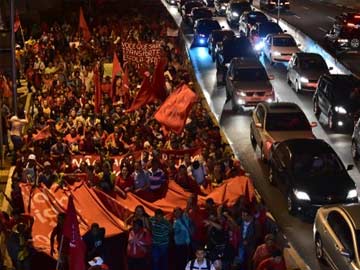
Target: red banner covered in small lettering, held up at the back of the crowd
(141, 53)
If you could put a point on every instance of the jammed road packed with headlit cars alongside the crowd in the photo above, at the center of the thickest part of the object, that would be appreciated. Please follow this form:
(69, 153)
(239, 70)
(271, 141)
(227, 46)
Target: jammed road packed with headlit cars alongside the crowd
(244, 47)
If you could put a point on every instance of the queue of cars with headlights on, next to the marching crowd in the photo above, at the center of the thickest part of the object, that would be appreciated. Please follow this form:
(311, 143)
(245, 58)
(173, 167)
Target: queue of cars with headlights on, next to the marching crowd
(306, 170)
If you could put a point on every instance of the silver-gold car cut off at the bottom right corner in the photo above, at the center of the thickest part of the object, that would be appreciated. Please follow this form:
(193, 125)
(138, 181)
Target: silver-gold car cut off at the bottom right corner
(337, 235)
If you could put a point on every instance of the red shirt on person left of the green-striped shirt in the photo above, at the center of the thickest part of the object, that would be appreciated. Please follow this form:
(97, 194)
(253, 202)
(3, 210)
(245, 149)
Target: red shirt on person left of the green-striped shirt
(138, 244)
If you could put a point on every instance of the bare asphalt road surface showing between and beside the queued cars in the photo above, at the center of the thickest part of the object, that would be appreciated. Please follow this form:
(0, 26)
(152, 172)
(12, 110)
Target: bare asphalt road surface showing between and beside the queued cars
(236, 126)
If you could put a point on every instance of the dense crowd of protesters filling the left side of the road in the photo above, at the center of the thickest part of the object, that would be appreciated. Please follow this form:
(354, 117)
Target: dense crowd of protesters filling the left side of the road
(63, 122)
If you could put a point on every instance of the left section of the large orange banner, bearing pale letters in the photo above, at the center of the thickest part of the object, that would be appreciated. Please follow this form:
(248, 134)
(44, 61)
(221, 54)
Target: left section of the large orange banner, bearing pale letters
(45, 204)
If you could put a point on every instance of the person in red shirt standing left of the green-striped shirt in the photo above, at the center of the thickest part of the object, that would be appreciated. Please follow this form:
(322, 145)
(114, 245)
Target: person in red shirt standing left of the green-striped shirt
(139, 243)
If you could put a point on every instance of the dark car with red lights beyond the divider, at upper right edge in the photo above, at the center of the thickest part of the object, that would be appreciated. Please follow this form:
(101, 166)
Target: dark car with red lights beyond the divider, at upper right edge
(345, 33)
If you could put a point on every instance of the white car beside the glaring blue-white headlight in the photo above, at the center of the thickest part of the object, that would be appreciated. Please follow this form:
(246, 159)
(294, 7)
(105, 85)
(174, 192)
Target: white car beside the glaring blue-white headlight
(279, 48)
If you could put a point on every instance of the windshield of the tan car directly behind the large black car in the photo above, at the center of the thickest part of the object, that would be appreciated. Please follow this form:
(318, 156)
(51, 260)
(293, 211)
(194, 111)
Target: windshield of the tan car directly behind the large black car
(287, 122)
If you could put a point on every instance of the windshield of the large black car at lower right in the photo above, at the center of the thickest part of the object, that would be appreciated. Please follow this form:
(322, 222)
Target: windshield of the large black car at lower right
(307, 164)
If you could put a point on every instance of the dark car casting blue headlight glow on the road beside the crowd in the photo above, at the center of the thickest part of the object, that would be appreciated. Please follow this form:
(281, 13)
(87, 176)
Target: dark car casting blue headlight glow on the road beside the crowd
(202, 30)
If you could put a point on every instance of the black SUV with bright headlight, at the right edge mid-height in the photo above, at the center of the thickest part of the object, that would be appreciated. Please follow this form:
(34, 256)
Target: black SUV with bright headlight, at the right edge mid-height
(338, 97)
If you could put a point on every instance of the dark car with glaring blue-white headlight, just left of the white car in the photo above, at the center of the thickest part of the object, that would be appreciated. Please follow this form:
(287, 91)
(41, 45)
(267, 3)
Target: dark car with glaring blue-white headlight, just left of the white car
(260, 32)
